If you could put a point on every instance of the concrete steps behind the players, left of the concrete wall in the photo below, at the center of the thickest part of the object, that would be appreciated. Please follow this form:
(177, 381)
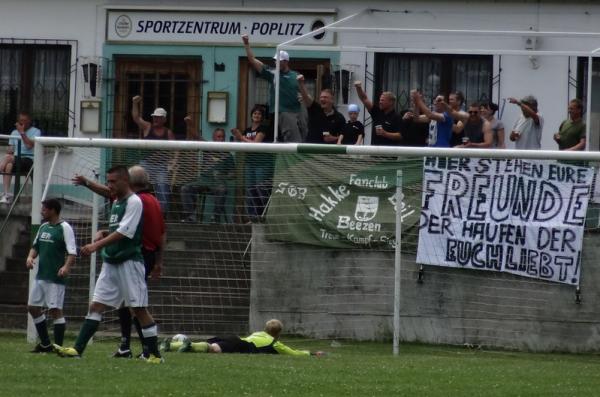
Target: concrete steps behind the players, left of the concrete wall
(205, 288)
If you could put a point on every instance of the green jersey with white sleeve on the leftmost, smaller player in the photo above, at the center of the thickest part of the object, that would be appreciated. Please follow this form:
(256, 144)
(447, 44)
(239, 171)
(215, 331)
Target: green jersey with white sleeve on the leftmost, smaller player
(53, 243)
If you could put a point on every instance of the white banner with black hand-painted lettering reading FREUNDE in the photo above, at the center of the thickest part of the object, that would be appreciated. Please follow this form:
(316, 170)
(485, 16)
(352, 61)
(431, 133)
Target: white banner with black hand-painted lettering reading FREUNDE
(524, 217)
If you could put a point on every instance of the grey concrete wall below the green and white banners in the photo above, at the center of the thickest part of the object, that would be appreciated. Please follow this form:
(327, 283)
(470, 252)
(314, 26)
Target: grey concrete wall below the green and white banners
(332, 294)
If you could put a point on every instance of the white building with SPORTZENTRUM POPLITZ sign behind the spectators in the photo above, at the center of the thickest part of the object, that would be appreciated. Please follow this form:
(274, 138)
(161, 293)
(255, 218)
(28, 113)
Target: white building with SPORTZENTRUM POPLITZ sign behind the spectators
(183, 56)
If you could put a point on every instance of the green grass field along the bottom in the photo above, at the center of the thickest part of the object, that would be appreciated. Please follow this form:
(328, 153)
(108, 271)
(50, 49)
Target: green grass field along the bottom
(352, 369)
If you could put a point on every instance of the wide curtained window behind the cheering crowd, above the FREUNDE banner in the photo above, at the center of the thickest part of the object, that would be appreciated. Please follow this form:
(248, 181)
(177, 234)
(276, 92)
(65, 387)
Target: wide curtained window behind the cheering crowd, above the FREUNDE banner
(433, 74)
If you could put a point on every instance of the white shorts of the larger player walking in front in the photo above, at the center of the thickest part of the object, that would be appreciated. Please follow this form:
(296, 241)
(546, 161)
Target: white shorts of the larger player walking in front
(122, 283)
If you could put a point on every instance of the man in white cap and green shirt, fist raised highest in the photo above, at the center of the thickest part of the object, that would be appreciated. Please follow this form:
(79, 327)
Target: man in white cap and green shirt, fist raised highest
(289, 106)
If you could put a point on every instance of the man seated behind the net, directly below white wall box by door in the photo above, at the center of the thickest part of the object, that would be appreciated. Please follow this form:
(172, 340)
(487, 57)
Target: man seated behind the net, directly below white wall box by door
(215, 169)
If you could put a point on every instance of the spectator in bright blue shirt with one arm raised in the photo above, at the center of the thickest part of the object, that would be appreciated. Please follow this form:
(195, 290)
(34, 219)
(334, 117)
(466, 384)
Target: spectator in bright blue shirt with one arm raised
(440, 121)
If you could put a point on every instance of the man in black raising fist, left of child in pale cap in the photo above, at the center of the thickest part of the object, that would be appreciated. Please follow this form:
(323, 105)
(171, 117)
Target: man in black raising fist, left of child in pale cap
(325, 123)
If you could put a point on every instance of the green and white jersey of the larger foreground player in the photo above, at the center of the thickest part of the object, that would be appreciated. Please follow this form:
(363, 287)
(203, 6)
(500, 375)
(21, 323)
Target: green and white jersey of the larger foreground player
(125, 219)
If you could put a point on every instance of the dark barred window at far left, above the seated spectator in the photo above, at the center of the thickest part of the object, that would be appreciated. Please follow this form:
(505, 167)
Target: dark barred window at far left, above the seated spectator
(35, 78)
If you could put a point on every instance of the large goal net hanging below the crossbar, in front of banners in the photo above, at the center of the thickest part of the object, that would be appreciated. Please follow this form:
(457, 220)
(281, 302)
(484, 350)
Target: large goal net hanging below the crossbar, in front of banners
(309, 234)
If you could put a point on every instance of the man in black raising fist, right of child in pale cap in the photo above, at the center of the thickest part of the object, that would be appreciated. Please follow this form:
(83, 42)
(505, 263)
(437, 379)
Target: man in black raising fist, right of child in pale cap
(387, 123)
